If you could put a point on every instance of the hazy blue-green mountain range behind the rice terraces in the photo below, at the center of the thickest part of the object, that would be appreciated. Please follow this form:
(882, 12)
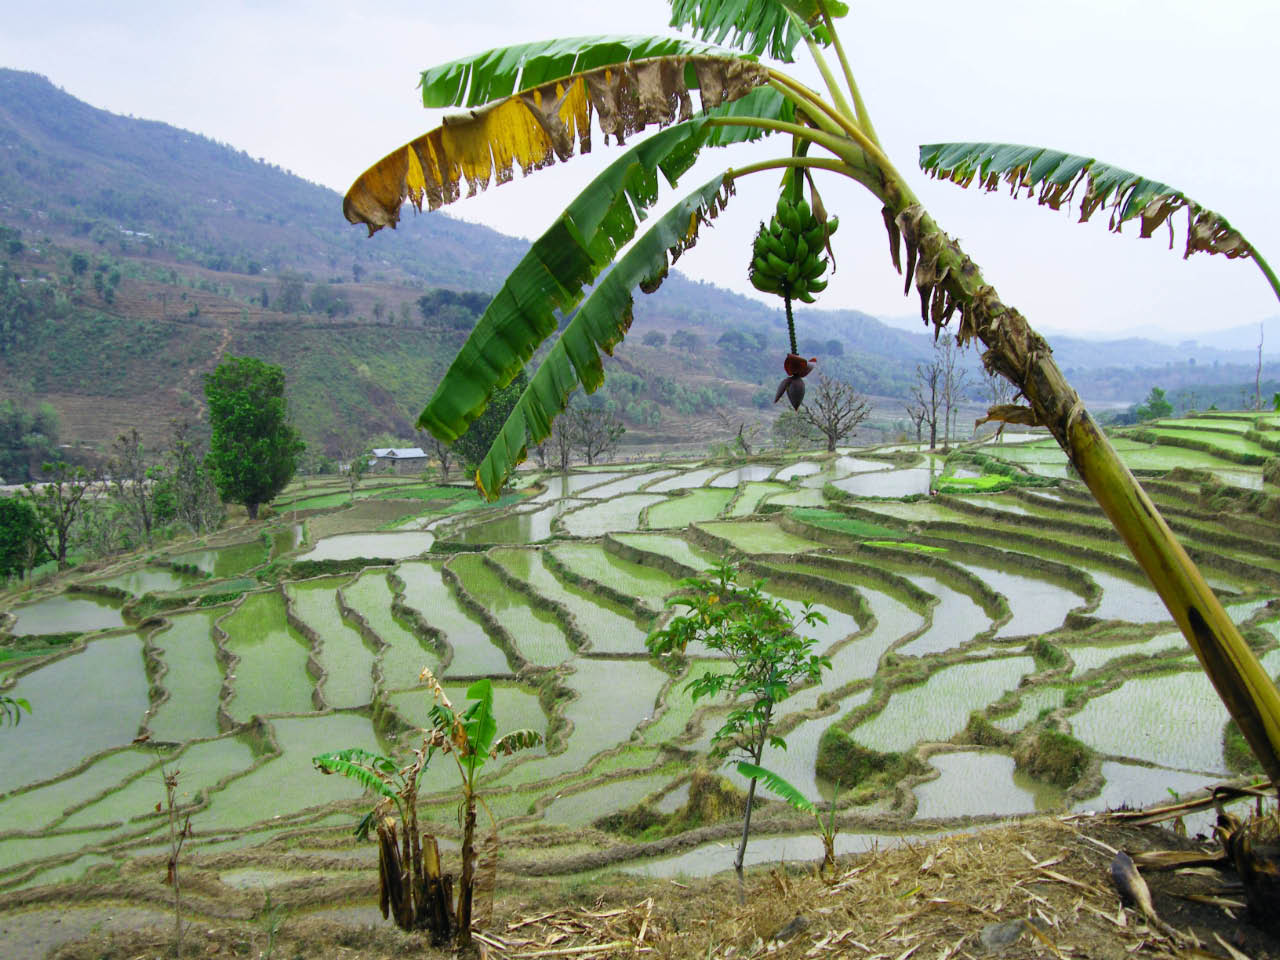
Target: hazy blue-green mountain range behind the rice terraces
(194, 248)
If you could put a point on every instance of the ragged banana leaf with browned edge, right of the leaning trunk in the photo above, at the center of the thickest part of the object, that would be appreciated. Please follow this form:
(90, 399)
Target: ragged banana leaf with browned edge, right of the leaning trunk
(1055, 179)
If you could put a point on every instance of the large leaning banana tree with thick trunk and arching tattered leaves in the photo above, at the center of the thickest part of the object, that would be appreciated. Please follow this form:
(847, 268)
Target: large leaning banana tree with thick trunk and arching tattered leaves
(534, 104)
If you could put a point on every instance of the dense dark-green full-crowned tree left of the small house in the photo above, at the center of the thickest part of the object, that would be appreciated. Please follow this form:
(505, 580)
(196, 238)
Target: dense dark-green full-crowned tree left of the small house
(254, 450)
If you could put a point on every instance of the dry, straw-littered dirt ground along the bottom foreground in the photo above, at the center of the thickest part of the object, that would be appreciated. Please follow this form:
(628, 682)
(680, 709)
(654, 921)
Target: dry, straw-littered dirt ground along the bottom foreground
(1039, 889)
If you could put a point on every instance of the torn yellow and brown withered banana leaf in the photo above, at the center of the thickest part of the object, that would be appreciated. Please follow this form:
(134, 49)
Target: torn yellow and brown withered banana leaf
(538, 126)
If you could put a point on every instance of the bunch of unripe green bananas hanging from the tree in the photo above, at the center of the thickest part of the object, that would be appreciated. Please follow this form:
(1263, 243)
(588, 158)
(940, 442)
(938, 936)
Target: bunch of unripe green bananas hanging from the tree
(788, 254)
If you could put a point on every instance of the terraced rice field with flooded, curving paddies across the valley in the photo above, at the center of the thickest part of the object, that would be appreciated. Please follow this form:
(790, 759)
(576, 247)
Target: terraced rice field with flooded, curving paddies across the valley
(241, 694)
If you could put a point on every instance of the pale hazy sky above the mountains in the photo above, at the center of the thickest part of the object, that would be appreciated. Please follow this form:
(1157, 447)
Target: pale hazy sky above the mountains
(1182, 92)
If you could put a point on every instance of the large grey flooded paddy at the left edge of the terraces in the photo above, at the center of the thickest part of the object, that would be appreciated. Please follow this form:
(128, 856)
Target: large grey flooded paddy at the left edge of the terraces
(80, 706)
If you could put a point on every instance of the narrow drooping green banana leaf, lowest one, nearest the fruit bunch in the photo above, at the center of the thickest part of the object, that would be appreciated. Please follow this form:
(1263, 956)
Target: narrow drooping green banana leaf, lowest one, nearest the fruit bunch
(598, 327)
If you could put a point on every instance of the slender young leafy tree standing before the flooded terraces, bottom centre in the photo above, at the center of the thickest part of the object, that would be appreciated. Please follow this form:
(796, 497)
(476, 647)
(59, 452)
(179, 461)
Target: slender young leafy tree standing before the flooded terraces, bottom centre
(758, 637)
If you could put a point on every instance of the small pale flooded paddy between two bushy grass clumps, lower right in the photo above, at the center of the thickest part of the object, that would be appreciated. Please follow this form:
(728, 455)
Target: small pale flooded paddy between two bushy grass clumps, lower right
(972, 784)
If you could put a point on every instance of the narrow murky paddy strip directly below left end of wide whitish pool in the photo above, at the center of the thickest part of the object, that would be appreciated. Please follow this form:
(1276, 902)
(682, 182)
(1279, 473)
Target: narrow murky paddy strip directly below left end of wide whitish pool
(346, 657)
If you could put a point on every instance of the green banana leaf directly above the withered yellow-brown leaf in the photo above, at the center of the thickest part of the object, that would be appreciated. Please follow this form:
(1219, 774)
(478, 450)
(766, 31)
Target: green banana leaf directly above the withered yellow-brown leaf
(482, 79)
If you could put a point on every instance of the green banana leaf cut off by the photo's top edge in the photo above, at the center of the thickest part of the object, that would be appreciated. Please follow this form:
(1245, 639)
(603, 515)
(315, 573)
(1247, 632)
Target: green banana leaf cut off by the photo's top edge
(755, 26)
